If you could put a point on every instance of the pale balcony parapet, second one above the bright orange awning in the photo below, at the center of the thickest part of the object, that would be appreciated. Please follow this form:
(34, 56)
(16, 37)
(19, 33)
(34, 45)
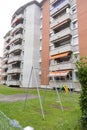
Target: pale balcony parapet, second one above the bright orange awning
(61, 34)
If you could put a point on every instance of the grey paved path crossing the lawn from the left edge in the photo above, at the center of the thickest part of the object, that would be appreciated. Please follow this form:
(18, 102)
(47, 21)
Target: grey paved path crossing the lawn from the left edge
(16, 97)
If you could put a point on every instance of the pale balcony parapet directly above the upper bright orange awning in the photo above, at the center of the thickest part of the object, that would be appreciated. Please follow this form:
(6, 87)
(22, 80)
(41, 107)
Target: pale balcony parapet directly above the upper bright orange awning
(61, 49)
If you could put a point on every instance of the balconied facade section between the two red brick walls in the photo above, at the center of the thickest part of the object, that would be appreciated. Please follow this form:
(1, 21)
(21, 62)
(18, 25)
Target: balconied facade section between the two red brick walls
(64, 47)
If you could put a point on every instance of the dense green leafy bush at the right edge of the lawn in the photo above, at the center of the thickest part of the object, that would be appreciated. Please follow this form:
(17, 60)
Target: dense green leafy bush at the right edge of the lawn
(82, 74)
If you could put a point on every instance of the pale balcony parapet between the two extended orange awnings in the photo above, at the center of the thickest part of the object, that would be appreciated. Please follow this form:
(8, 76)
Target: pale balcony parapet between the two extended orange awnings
(62, 66)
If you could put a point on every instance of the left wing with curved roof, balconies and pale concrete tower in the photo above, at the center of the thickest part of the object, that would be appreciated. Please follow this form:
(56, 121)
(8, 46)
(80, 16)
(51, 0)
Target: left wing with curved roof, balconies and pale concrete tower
(22, 44)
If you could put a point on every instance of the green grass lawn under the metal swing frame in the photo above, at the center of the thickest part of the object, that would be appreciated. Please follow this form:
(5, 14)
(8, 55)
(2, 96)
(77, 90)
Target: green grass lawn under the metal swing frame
(55, 119)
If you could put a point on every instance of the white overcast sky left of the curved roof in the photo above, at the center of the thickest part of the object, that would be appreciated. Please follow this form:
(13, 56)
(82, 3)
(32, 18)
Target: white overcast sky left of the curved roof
(7, 9)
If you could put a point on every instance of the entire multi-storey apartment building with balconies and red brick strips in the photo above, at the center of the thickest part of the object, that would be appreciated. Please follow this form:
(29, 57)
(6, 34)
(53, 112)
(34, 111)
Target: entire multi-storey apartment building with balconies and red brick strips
(47, 36)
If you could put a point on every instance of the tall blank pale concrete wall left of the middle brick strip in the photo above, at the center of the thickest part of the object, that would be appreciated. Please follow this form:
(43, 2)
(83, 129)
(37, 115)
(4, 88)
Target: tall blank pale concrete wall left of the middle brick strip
(31, 45)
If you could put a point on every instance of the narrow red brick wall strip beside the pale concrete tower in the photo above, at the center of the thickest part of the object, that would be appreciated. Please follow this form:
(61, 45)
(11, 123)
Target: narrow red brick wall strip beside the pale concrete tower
(45, 41)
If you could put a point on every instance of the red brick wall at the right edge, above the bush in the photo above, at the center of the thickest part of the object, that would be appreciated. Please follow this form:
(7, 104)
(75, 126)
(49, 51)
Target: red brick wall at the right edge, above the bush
(82, 26)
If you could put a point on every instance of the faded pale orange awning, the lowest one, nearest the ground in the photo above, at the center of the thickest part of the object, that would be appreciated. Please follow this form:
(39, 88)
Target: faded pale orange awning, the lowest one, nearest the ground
(59, 73)
